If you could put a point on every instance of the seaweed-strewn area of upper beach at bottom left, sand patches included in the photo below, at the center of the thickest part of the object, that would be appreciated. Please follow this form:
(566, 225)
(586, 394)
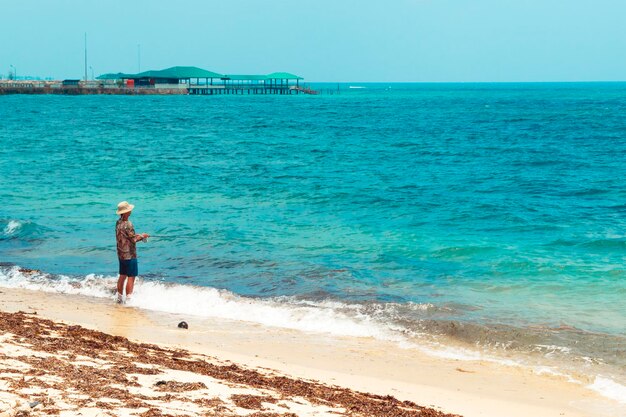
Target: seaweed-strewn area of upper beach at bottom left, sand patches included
(50, 368)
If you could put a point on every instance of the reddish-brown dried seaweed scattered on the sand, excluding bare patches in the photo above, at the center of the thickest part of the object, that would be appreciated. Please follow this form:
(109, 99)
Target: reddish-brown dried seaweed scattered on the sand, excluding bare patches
(115, 364)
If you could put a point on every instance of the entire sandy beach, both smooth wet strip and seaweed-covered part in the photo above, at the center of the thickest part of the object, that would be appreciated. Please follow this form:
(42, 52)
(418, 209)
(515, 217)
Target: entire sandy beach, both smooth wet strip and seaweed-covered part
(67, 355)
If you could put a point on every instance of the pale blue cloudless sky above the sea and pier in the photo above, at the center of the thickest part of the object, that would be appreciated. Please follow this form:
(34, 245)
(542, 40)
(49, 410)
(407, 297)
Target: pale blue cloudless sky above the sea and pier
(323, 40)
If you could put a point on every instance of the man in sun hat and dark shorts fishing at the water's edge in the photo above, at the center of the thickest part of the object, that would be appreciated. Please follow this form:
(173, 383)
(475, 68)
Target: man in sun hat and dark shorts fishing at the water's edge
(126, 251)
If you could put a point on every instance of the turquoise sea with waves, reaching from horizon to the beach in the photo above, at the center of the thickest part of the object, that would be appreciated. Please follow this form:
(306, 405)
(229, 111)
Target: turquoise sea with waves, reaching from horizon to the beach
(477, 220)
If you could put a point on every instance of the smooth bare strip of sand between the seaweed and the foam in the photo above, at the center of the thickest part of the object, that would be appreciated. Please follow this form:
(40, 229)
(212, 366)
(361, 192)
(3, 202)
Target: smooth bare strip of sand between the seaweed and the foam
(475, 388)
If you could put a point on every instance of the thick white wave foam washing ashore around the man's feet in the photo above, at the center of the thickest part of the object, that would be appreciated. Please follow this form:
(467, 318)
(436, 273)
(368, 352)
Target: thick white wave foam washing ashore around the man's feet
(211, 302)
